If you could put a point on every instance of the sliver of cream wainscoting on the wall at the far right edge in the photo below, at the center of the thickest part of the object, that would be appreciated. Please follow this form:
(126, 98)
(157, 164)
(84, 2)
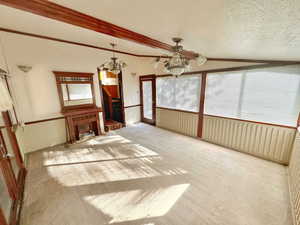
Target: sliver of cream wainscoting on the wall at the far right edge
(294, 179)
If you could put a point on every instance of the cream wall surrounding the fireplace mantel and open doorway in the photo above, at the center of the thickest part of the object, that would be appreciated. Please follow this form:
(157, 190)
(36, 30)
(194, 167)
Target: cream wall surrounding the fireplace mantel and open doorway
(35, 92)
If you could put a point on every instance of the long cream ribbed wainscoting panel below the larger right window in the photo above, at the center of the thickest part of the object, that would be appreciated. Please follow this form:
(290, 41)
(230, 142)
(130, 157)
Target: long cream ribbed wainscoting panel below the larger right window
(266, 141)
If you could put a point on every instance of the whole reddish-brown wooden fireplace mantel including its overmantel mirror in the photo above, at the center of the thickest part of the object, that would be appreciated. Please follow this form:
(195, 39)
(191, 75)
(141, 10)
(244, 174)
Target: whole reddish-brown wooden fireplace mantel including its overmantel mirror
(77, 99)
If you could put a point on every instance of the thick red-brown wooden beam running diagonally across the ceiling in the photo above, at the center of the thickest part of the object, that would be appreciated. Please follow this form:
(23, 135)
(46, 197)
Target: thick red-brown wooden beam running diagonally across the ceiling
(57, 12)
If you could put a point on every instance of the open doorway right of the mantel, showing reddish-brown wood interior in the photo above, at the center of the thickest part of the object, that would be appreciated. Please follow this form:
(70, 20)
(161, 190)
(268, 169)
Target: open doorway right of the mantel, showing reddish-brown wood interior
(111, 91)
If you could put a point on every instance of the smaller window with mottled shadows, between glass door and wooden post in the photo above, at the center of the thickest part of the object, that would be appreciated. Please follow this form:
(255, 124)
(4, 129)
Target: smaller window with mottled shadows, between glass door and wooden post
(179, 93)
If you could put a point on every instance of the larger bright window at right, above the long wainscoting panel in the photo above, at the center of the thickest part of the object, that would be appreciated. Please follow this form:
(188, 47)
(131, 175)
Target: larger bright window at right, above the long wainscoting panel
(270, 95)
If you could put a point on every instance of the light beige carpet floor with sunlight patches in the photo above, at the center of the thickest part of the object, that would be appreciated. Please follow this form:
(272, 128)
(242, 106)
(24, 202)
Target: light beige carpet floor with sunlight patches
(143, 175)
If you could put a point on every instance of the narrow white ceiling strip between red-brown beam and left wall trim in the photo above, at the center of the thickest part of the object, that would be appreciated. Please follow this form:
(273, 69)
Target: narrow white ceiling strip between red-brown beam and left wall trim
(26, 22)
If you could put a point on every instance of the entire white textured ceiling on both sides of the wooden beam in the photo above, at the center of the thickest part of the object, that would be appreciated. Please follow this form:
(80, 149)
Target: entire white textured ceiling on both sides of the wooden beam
(254, 29)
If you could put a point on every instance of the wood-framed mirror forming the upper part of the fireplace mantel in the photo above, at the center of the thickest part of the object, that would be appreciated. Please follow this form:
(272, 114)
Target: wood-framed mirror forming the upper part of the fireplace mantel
(75, 90)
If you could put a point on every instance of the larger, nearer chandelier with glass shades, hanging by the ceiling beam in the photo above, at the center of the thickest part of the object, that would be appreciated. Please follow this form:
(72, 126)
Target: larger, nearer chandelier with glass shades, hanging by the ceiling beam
(178, 64)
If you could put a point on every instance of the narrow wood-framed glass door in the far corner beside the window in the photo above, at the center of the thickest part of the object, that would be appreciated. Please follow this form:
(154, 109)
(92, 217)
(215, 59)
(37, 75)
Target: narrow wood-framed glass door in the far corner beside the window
(148, 99)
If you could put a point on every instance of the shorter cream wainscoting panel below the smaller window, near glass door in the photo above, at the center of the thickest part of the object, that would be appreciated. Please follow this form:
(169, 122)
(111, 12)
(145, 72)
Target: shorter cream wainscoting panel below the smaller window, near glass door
(178, 121)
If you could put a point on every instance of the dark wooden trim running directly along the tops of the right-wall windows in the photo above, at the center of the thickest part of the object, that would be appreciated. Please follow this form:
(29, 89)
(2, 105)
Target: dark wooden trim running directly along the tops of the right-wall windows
(252, 67)
